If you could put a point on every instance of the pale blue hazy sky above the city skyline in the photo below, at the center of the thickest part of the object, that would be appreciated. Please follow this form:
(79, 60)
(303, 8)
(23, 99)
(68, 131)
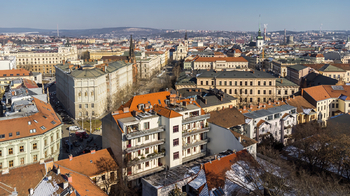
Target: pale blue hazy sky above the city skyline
(177, 14)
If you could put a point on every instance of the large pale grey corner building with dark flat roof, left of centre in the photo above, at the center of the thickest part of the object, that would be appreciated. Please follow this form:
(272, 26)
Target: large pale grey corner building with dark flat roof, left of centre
(87, 91)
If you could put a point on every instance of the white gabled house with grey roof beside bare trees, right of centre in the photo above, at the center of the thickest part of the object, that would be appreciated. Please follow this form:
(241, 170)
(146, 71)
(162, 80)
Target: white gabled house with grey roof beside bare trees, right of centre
(275, 121)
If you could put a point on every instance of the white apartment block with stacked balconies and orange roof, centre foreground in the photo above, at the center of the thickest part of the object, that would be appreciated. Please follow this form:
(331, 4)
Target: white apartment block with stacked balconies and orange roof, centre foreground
(154, 131)
